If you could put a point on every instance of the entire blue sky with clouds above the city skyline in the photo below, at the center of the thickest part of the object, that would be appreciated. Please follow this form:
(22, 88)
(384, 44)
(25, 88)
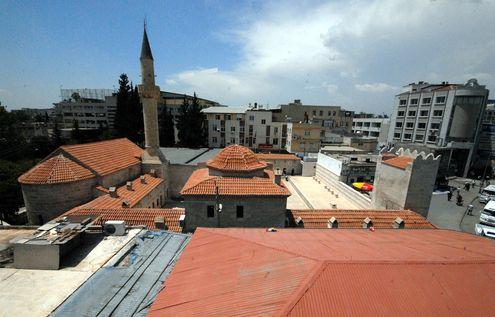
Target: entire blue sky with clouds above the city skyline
(352, 53)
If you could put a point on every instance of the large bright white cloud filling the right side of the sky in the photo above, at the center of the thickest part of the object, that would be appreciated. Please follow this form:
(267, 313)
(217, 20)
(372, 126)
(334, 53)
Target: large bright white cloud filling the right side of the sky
(360, 48)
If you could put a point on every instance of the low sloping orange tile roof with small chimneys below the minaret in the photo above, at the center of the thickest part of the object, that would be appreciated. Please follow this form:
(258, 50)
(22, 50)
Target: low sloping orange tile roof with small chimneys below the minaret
(138, 192)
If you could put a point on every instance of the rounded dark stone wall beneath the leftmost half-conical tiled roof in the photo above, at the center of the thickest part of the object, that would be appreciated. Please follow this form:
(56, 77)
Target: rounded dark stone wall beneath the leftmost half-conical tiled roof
(52, 200)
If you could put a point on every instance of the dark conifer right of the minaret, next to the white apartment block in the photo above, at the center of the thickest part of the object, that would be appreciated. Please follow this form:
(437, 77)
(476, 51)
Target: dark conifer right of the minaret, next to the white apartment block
(191, 124)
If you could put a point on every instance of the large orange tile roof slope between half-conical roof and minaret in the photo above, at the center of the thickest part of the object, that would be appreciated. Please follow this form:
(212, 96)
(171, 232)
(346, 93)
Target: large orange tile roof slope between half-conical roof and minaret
(106, 157)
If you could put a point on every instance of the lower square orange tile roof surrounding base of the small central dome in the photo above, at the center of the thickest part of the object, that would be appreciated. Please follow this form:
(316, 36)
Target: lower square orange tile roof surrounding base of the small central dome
(201, 183)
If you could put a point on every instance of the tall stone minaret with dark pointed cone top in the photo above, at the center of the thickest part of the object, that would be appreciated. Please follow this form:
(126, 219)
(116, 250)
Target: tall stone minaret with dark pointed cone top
(149, 94)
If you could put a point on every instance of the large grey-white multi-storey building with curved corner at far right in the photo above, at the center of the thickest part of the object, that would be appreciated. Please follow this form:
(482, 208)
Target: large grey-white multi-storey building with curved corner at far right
(442, 119)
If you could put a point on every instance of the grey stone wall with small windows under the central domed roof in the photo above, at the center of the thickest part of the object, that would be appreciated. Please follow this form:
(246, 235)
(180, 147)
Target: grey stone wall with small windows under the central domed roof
(258, 212)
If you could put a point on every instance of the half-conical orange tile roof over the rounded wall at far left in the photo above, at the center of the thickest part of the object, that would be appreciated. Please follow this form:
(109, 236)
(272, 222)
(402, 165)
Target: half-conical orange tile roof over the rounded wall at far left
(57, 169)
